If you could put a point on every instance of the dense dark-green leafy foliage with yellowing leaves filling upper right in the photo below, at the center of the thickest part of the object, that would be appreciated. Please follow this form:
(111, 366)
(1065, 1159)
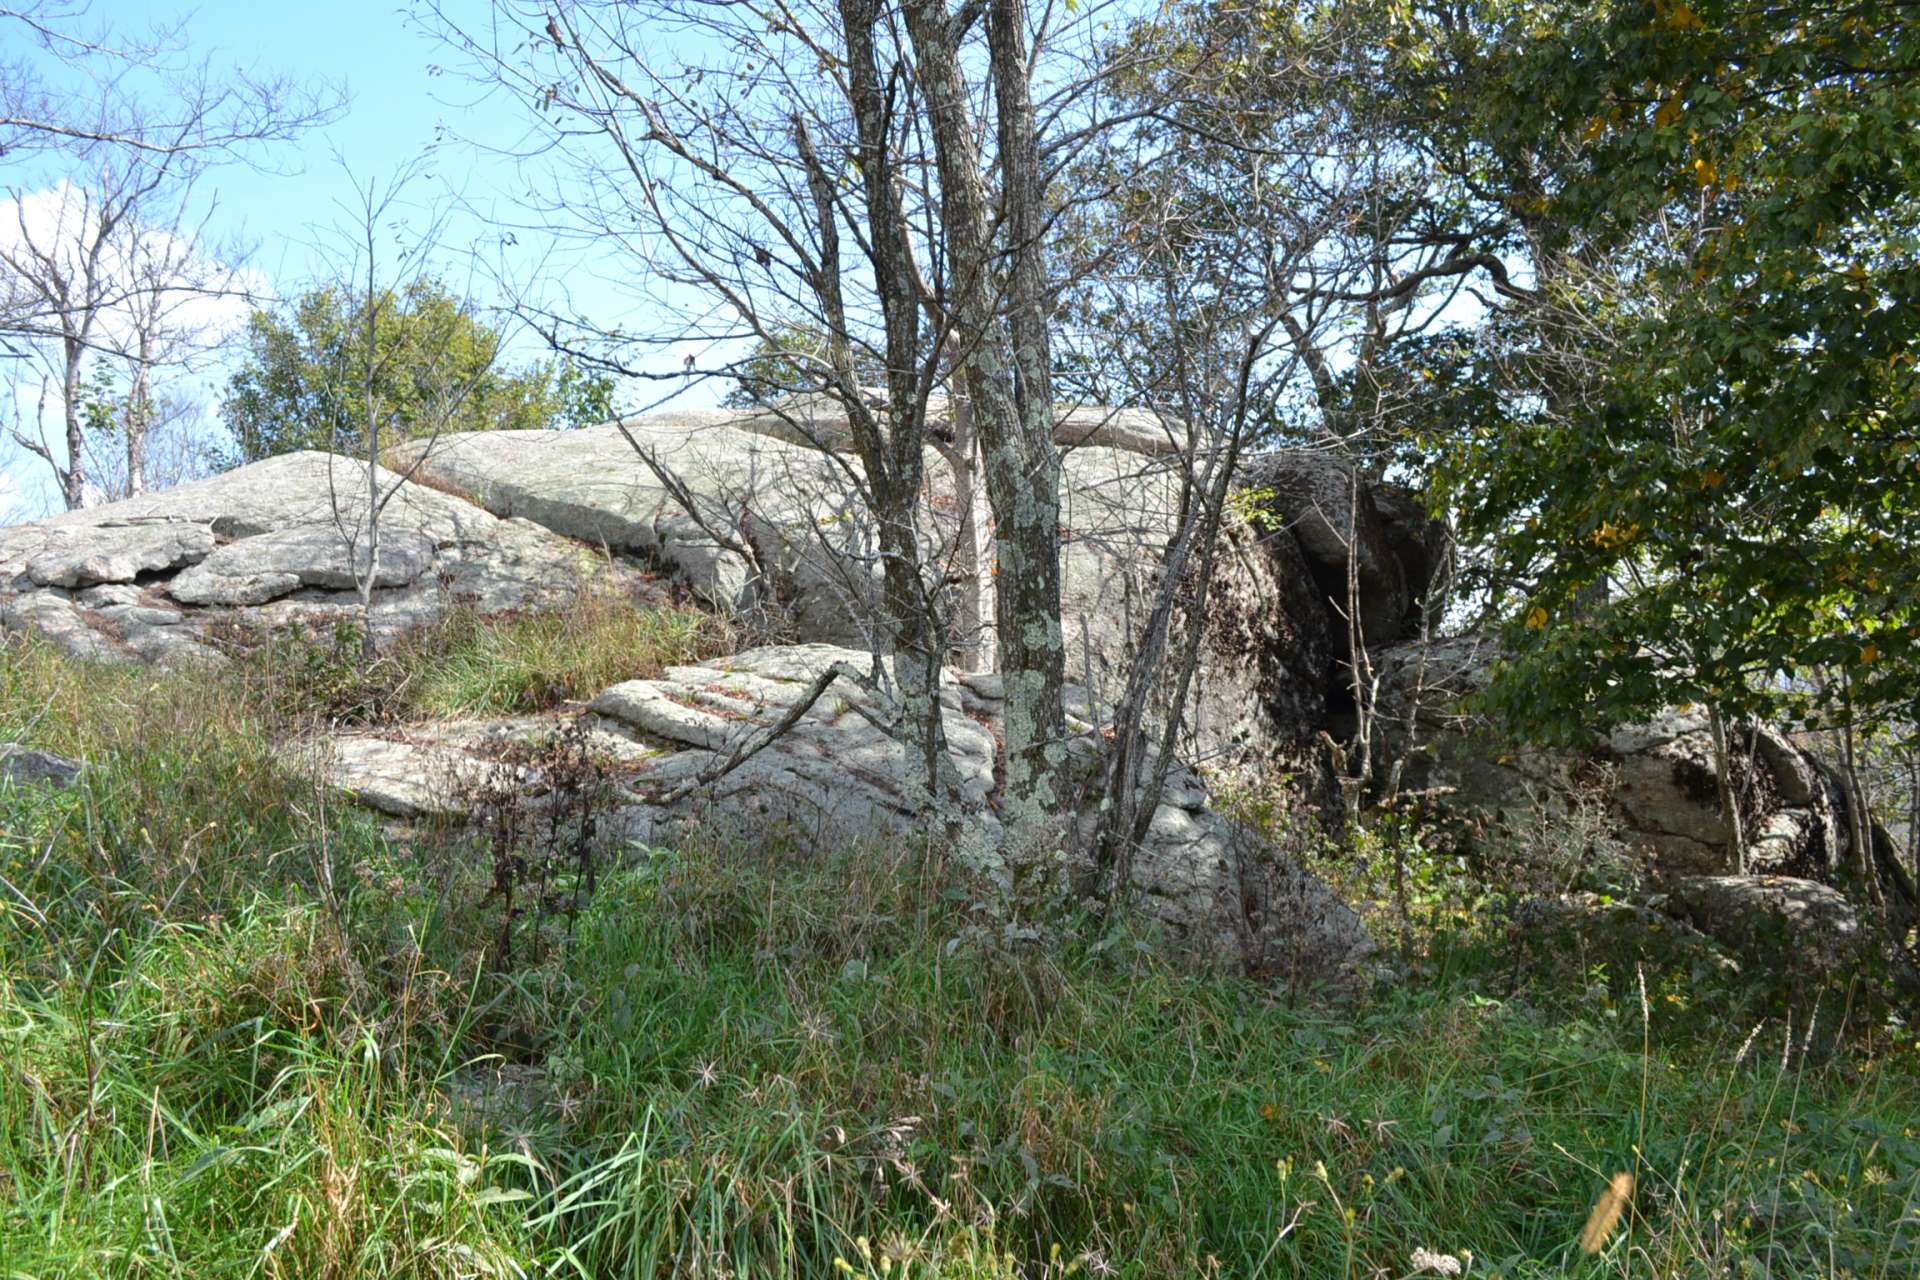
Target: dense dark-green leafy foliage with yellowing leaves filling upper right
(1735, 191)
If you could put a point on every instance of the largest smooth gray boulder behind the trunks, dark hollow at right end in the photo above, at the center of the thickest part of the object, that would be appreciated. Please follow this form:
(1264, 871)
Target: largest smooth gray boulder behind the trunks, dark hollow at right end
(765, 523)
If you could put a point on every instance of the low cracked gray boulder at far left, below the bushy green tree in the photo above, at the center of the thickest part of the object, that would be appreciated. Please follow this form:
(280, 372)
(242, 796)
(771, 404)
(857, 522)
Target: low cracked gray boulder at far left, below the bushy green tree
(180, 577)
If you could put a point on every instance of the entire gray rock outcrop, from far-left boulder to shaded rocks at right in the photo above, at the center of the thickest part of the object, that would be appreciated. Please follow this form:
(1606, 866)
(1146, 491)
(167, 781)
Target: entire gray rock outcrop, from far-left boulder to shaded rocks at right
(757, 515)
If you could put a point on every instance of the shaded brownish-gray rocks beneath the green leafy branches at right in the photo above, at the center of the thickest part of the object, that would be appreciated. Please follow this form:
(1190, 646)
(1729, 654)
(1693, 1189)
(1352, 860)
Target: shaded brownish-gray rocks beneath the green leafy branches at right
(1656, 780)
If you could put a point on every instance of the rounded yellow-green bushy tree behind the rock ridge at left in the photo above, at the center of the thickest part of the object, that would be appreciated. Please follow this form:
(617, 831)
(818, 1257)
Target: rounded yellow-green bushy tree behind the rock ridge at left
(435, 367)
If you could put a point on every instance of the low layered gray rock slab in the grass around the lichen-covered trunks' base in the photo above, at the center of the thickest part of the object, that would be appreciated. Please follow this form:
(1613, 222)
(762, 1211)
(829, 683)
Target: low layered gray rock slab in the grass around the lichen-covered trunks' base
(1212, 889)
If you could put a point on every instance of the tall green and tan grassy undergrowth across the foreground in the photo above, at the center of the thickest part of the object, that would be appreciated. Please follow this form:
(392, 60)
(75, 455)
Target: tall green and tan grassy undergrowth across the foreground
(249, 1033)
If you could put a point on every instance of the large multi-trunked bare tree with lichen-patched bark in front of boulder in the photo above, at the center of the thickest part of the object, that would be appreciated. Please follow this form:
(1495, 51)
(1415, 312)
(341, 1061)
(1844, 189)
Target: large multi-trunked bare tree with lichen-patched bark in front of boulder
(871, 174)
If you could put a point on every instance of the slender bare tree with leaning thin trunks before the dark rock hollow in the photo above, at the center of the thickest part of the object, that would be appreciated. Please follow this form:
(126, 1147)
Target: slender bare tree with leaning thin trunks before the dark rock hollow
(1262, 254)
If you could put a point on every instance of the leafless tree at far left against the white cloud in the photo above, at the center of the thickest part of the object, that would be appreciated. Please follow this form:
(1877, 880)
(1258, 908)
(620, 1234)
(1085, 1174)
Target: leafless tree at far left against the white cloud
(122, 120)
